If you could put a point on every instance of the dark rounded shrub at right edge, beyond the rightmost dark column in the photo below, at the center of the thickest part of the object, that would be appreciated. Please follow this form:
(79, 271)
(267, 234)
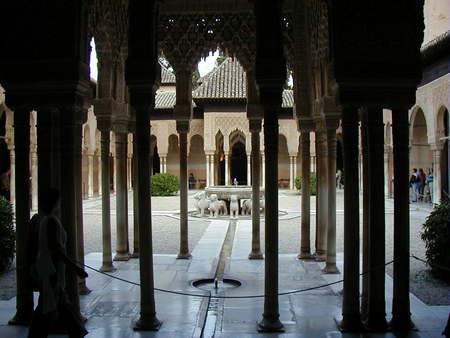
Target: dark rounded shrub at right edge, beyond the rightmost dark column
(436, 234)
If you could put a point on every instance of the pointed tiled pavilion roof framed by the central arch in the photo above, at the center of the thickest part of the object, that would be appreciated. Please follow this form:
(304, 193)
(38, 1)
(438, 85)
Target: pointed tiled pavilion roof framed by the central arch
(228, 81)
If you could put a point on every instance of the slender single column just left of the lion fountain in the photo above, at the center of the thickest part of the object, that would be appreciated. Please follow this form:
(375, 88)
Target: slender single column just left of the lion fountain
(183, 129)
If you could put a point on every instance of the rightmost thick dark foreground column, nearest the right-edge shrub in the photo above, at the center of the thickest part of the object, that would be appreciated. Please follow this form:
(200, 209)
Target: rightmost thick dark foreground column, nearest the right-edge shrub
(401, 315)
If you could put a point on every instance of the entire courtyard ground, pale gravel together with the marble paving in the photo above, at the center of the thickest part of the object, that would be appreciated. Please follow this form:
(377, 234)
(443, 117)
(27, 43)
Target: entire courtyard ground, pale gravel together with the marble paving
(113, 304)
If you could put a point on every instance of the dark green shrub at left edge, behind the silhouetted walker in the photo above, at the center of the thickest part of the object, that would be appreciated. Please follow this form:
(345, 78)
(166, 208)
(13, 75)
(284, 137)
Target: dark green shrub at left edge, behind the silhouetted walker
(7, 234)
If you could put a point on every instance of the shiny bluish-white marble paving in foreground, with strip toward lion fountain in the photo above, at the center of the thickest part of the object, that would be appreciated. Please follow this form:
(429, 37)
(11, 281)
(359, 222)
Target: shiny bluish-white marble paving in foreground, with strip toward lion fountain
(112, 305)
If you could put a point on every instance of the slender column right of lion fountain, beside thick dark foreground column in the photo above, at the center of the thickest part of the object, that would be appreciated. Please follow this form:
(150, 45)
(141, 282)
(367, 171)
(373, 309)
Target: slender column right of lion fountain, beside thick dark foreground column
(255, 129)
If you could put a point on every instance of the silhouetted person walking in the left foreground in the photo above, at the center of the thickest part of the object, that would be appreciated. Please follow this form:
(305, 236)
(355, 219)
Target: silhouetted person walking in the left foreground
(47, 272)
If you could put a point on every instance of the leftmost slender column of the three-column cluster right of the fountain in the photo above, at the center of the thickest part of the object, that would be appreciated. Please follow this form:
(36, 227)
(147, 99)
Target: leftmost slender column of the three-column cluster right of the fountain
(305, 237)
